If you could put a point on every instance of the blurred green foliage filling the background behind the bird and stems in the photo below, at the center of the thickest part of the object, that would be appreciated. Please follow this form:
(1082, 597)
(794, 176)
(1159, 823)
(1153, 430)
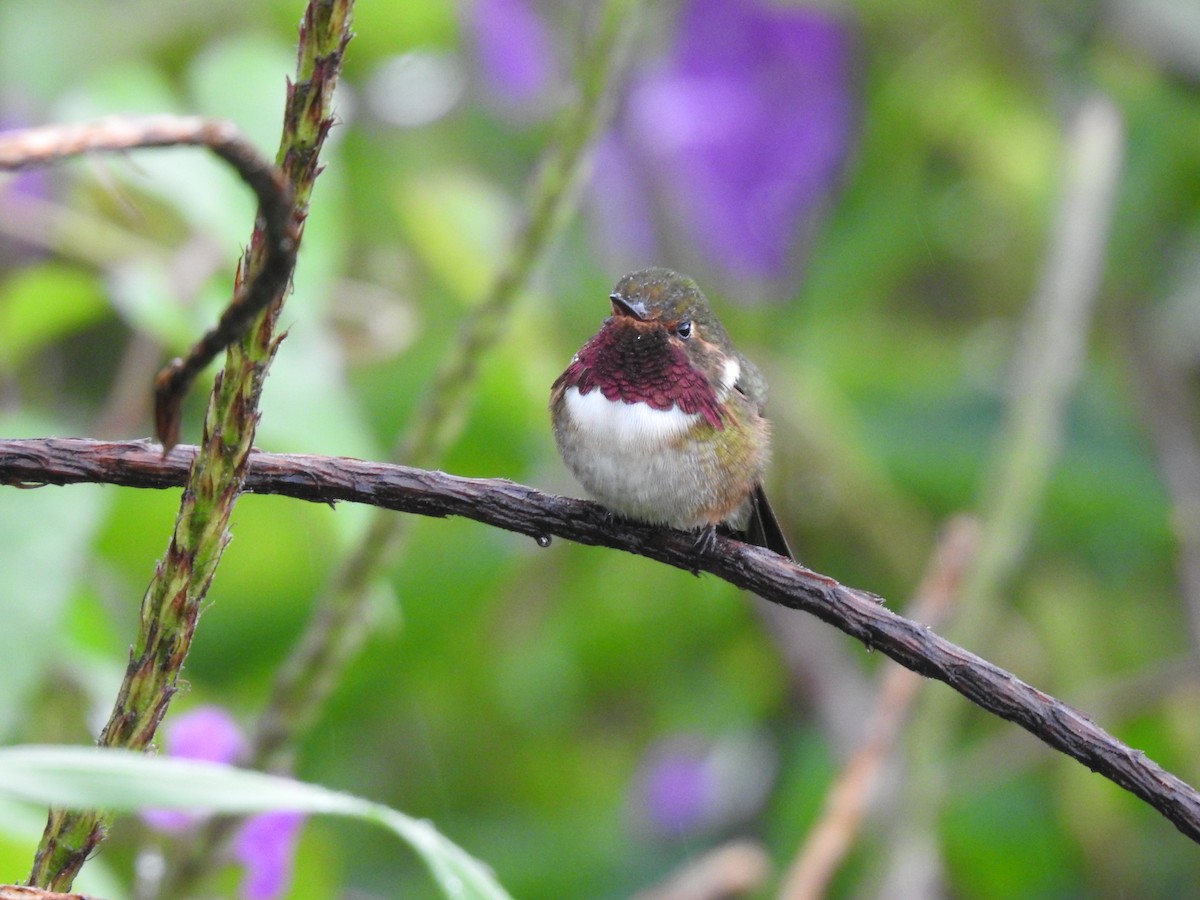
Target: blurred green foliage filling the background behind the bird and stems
(529, 701)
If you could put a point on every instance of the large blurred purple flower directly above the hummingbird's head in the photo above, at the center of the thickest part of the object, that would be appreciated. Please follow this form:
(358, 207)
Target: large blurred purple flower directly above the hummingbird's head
(740, 131)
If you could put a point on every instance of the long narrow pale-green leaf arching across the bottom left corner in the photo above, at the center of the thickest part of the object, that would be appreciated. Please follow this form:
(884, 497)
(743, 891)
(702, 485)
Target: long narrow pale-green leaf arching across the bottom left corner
(122, 781)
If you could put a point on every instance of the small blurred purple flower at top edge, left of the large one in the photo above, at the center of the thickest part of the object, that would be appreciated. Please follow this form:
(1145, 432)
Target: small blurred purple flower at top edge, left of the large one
(514, 49)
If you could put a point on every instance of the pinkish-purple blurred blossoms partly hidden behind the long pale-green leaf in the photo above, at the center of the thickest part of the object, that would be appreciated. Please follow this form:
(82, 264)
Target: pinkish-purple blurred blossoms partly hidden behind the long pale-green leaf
(266, 844)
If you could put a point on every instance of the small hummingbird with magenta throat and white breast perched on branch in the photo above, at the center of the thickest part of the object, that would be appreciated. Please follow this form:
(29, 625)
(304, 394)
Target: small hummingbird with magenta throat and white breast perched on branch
(661, 418)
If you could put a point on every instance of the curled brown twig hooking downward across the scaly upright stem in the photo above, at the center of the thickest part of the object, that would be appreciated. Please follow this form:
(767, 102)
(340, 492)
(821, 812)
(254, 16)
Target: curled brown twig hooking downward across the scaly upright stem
(56, 143)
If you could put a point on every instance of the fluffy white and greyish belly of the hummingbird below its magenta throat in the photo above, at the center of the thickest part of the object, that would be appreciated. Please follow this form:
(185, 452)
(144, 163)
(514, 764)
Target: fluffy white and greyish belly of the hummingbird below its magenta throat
(629, 458)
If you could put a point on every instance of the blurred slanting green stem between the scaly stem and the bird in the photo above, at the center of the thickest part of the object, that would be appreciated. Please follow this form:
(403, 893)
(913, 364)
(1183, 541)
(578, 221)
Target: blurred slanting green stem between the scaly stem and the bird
(339, 625)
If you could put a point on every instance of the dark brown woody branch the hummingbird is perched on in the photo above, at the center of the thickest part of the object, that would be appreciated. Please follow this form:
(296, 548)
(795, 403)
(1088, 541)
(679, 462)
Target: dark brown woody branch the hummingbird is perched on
(518, 508)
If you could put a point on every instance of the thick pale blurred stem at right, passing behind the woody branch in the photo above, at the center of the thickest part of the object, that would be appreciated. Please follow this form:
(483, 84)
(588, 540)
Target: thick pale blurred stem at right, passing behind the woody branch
(1046, 369)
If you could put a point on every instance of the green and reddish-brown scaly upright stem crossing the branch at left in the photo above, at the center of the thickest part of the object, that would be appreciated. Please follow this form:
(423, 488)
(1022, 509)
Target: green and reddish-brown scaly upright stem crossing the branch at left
(172, 602)
